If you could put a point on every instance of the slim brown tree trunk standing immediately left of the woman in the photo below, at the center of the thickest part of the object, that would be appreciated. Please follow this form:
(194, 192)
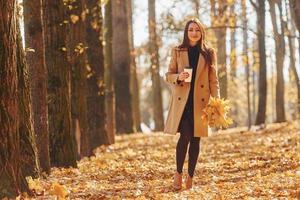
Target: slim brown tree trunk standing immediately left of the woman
(154, 68)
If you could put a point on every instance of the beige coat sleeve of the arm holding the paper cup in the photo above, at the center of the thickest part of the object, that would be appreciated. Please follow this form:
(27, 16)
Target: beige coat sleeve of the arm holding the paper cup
(172, 73)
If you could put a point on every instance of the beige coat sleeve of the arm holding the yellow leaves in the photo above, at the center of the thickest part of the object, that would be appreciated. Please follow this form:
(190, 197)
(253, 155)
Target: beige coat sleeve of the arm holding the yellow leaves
(213, 76)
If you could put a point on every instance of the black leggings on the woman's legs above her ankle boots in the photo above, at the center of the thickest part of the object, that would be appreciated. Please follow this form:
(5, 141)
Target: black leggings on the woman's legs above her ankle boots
(186, 129)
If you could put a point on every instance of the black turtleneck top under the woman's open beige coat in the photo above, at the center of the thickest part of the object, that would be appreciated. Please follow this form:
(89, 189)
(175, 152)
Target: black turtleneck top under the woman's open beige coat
(193, 54)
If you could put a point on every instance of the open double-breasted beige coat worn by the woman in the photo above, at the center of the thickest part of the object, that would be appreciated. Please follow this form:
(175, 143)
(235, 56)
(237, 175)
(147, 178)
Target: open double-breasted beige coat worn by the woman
(206, 85)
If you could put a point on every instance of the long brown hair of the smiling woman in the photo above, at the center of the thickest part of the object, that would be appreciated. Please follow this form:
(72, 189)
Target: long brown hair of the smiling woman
(207, 52)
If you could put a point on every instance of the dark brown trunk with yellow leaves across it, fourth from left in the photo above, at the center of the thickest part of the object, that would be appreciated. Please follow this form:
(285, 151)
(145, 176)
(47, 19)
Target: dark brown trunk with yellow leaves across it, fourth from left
(77, 46)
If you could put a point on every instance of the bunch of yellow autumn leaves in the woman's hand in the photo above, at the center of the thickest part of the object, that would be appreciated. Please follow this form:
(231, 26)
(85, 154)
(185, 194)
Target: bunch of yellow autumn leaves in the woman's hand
(216, 113)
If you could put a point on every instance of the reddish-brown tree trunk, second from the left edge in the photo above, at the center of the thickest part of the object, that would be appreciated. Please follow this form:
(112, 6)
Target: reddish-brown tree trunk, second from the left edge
(35, 57)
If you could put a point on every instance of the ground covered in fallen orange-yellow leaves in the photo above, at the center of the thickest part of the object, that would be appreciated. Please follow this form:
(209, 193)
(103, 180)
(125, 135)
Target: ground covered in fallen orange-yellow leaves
(233, 164)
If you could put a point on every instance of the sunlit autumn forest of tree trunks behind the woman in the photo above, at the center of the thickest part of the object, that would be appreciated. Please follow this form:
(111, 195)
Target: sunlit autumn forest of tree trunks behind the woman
(77, 73)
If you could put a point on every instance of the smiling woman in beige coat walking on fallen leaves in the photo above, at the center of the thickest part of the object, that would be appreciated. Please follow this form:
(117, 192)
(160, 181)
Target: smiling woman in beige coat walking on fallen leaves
(190, 98)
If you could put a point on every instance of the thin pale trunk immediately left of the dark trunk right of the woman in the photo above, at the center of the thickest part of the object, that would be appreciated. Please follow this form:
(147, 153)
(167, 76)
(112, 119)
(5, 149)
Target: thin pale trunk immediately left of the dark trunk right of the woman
(246, 58)
